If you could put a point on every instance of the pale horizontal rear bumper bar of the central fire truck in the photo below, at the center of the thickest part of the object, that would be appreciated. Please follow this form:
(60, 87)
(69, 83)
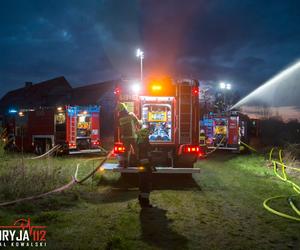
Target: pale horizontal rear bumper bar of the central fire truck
(115, 167)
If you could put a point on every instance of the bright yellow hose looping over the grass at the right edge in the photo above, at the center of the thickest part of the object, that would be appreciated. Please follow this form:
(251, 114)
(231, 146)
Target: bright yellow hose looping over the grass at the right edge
(284, 177)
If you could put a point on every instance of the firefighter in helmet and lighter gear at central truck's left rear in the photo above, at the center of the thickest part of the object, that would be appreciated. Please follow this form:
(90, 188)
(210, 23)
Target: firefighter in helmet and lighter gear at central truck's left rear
(129, 126)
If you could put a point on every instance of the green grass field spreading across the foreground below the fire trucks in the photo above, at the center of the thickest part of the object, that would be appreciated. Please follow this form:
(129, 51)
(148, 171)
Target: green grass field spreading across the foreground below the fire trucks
(221, 208)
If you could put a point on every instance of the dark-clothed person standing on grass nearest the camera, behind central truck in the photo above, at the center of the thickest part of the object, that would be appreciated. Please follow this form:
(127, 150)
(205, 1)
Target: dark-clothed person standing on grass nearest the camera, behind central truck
(146, 168)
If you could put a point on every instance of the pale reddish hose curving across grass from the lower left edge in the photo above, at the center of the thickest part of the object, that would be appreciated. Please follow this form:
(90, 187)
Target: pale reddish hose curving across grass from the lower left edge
(64, 187)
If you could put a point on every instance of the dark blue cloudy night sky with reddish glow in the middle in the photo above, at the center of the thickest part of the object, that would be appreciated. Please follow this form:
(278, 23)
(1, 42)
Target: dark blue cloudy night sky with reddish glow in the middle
(89, 41)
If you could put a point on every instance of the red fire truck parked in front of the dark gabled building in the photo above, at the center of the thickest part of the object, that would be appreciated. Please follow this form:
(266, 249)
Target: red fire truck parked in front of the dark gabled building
(74, 128)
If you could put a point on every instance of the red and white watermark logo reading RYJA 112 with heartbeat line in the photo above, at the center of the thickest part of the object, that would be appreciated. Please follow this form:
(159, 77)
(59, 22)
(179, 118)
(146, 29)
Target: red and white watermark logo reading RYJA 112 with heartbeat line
(23, 234)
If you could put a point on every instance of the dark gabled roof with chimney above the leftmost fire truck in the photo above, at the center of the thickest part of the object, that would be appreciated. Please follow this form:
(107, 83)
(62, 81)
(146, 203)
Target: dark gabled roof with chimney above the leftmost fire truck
(47, 93)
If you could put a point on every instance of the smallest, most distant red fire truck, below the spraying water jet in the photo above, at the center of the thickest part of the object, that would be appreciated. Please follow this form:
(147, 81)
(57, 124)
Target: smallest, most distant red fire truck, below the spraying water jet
(225, 130)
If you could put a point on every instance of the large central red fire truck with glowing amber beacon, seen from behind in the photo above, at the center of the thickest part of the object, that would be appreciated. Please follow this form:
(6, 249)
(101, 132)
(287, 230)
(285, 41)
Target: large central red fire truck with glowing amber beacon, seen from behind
(169, 109)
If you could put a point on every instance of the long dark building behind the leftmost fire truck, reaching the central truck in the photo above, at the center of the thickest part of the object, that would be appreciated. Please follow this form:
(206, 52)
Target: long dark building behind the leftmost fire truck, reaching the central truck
(59, 92)
